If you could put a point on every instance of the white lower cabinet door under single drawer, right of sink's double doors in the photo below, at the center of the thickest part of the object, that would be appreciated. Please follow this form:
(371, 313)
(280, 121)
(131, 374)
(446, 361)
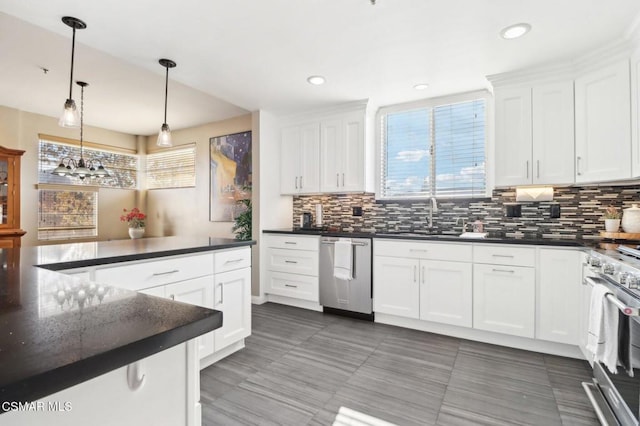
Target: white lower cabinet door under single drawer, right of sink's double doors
(504, 299)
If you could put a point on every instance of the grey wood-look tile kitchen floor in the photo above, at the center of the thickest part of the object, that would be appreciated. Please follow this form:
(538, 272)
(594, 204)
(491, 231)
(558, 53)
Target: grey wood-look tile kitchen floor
(299, 367)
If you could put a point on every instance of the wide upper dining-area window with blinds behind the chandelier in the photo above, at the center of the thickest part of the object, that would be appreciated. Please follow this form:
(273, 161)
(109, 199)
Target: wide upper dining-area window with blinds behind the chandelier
(122, 166)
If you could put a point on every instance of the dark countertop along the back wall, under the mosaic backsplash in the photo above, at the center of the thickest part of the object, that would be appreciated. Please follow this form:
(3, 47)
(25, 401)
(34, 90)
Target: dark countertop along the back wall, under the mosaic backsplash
(492, 237)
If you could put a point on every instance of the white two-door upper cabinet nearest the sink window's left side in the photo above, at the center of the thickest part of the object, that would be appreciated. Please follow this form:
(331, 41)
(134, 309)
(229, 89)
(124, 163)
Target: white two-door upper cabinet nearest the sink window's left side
(342, 153)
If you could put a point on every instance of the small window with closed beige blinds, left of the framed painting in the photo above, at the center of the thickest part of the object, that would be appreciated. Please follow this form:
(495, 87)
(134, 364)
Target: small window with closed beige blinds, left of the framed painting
(172, 168)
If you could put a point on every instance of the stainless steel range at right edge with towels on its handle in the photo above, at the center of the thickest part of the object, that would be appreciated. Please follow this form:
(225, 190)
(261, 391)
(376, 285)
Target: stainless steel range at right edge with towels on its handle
(616, 397)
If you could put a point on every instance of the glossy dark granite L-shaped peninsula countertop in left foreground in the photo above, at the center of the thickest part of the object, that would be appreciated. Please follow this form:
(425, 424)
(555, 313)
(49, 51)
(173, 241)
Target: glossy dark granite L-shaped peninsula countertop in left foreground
(57, 331)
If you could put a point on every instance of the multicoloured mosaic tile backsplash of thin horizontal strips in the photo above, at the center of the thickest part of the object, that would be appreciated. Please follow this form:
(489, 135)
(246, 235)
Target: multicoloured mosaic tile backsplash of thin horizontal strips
(581, 212)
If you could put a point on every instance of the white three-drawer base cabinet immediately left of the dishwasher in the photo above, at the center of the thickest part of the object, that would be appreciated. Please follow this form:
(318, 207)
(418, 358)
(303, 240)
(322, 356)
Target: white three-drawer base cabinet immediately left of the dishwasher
(292, 266)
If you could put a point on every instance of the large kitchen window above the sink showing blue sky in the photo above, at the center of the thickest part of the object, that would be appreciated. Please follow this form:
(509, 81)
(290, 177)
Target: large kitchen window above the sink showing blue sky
(433, 150)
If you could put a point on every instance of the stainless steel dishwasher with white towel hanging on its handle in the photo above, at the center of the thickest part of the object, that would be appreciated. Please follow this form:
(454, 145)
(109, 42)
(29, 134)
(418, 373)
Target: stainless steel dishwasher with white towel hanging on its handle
(348, 297)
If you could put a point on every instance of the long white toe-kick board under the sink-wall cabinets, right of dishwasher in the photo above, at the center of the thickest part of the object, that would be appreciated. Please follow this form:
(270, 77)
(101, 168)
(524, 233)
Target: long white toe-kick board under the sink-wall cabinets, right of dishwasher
(524, 343)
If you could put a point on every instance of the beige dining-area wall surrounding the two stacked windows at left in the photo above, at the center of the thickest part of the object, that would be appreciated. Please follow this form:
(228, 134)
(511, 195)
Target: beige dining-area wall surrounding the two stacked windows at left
(19, 130)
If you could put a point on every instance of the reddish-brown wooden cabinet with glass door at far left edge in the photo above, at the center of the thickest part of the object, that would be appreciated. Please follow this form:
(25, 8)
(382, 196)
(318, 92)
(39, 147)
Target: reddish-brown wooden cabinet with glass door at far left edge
(10, 231)
